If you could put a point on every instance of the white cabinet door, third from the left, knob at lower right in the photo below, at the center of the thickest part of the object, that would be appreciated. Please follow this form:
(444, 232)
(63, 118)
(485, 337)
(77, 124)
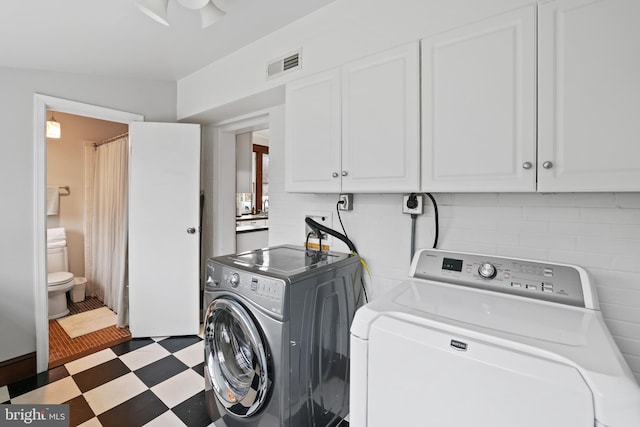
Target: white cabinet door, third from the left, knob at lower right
(479, 106)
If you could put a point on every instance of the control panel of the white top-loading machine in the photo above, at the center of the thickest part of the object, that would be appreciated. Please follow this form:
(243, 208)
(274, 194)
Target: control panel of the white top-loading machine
(550, 282)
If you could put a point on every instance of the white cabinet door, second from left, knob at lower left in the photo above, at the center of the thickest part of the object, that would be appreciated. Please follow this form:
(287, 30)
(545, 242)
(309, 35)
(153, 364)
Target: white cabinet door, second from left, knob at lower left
(381, 122)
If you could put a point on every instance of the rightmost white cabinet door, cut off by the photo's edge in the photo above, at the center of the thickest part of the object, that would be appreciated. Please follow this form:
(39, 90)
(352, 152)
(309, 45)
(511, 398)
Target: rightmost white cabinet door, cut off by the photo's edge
(589, 95)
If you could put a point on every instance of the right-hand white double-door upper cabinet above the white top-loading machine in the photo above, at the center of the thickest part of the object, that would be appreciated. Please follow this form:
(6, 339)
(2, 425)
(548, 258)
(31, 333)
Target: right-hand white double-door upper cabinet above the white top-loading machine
(479, 94)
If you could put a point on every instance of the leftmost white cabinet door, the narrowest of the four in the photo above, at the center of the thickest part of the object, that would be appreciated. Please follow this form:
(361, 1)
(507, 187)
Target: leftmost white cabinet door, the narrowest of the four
(312, 133)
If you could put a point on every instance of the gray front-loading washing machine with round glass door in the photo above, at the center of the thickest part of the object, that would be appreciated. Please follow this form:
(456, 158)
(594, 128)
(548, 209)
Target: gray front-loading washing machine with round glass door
(276, 326)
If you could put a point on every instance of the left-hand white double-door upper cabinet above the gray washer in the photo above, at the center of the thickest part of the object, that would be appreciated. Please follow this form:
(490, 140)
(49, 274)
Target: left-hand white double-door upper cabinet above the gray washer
(356, 128)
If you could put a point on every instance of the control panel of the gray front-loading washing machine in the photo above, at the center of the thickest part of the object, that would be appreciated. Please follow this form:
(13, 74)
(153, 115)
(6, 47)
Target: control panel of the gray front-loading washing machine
(266, 292)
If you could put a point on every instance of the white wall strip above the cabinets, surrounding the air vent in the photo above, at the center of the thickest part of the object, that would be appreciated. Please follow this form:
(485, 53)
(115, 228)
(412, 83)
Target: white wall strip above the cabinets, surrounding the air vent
(342, 31)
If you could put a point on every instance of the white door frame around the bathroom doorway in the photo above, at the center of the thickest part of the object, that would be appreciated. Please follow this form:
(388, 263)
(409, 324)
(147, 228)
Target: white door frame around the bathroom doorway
(42, 103)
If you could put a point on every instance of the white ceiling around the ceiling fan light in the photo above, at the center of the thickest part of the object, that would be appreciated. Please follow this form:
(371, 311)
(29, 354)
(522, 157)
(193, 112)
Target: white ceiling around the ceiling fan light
(113, 38)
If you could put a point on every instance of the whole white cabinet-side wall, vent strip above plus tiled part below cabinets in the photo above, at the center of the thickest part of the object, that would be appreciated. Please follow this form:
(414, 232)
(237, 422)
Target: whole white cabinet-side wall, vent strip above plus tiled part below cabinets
(598, 231)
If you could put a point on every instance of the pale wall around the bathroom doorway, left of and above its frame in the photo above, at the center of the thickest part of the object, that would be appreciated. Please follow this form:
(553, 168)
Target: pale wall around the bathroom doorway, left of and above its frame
(155, 100)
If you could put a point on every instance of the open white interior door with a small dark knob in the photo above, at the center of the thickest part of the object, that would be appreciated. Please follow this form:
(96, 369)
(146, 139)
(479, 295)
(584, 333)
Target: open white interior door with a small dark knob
(164, 229)
